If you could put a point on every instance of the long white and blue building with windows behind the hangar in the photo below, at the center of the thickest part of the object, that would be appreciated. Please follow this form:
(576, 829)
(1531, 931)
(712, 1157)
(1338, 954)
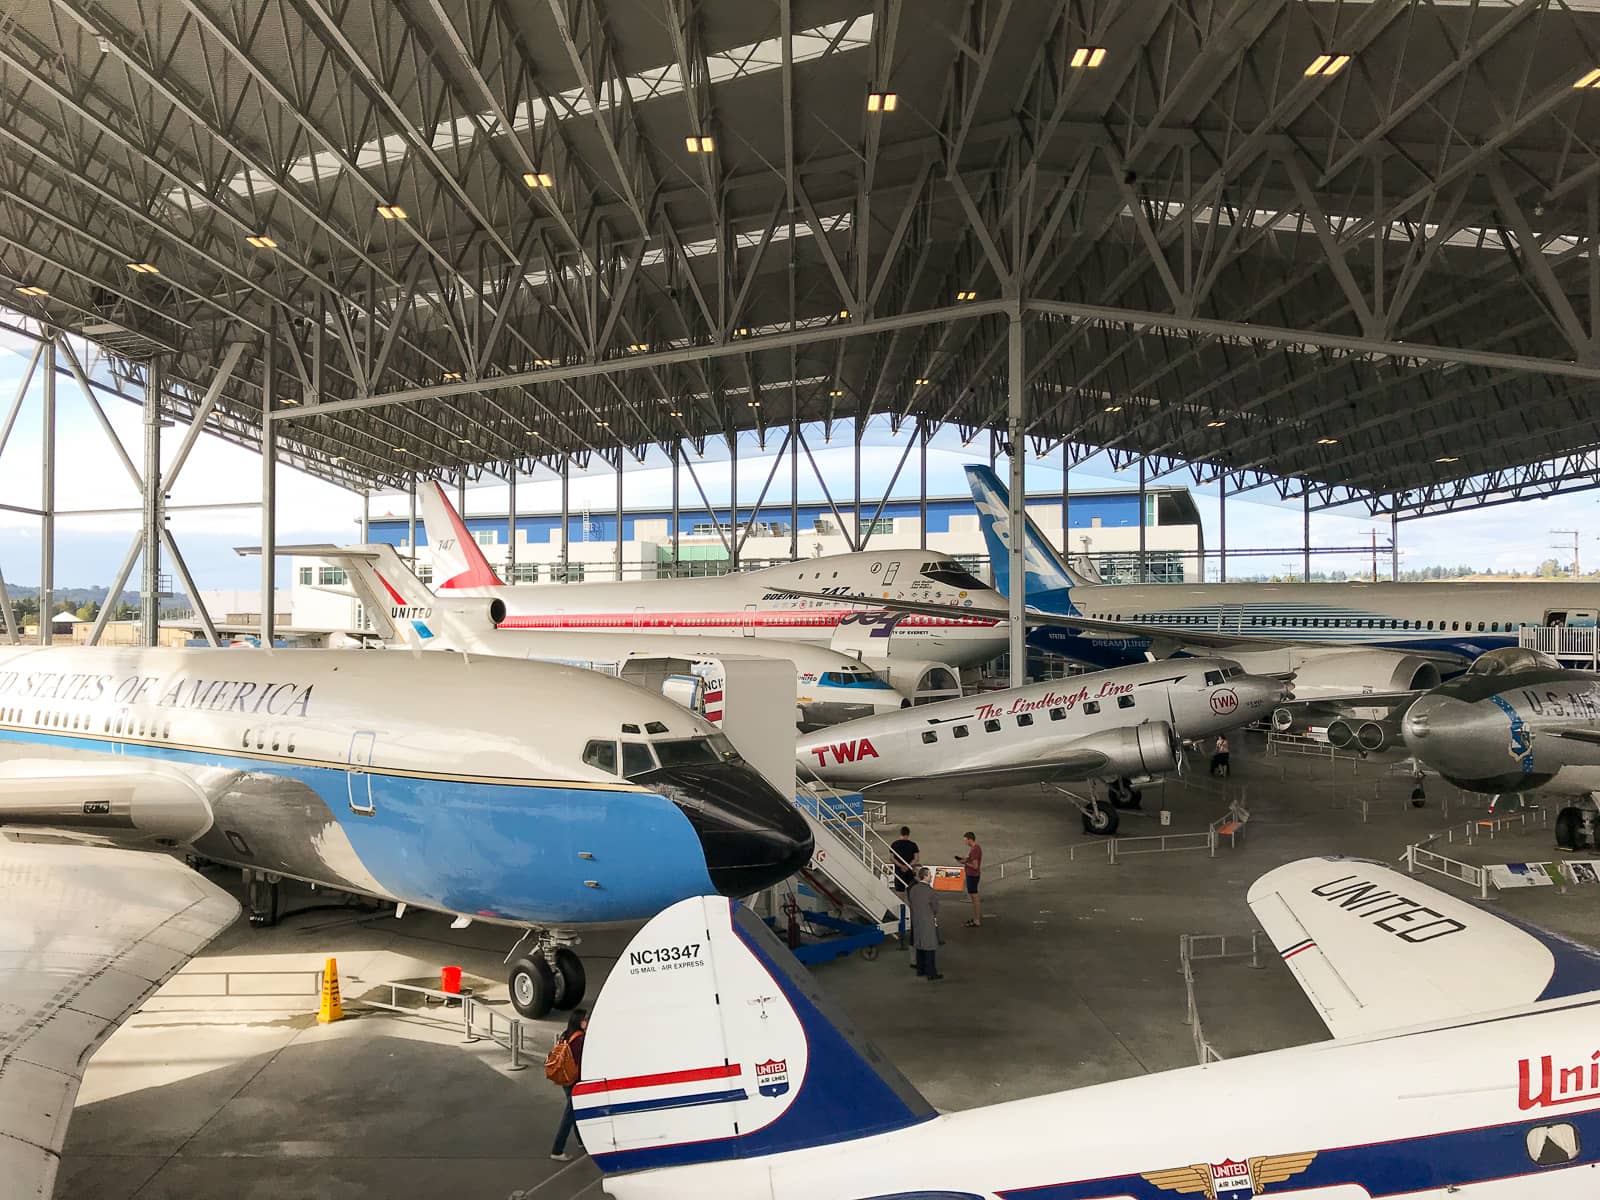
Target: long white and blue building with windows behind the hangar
(1103, 526)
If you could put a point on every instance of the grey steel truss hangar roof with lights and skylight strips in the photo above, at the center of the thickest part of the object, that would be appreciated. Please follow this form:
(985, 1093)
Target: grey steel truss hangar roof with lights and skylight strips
(1351, 249)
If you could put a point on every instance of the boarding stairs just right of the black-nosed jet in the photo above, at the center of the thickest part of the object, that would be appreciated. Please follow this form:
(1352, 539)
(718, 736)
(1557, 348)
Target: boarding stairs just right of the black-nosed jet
(852, 866)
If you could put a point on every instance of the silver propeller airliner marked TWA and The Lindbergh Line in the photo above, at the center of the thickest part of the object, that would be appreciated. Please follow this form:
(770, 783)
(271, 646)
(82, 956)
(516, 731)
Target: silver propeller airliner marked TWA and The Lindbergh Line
(1103, 726)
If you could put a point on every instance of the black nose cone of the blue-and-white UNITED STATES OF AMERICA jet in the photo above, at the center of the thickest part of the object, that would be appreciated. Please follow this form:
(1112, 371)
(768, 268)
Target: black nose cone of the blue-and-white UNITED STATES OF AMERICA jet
(753, 836)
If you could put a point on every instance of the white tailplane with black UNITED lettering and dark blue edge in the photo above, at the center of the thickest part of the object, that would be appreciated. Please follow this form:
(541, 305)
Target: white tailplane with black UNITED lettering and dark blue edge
(1375, 950)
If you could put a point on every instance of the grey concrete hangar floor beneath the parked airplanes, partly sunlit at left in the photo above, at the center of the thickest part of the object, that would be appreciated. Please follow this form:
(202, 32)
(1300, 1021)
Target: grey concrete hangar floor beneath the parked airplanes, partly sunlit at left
(1071, 982)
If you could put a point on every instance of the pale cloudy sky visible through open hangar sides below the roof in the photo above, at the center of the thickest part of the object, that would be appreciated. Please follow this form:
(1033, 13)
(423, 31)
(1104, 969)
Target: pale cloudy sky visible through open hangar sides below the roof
(90, 476)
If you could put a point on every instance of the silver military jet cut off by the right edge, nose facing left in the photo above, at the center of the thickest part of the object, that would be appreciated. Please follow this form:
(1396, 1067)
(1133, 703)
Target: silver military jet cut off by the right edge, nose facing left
(1518, 722)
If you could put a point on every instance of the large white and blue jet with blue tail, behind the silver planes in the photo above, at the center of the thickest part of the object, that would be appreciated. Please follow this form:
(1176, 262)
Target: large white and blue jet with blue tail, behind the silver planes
(1340, 641)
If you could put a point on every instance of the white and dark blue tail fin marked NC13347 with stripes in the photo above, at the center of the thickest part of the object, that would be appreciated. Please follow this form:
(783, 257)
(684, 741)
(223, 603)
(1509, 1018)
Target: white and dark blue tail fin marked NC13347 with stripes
(711, 1042)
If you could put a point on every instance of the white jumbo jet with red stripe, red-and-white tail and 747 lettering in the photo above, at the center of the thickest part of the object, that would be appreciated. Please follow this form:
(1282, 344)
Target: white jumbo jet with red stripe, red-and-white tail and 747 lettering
(921, 655)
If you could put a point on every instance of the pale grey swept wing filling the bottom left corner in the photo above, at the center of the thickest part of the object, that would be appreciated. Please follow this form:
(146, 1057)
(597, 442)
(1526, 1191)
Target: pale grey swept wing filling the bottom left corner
(86, 937)
